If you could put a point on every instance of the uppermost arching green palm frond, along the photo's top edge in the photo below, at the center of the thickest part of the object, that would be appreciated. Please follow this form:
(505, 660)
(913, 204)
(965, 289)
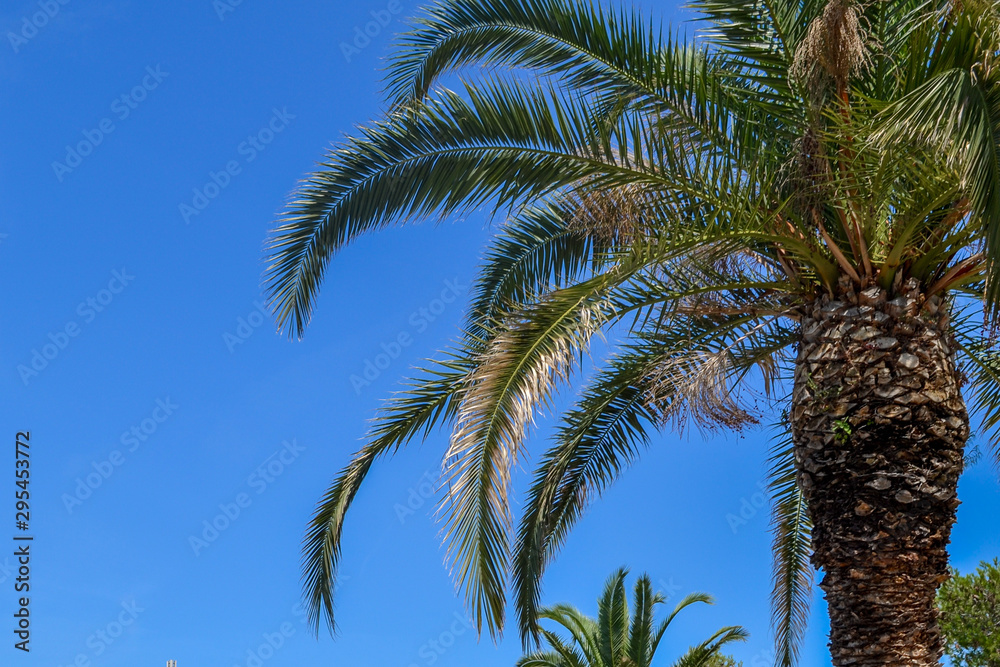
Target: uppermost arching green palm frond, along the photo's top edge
(616, 53)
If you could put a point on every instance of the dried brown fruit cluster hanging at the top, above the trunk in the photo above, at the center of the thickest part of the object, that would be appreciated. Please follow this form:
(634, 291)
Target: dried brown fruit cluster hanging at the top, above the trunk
(835, 46)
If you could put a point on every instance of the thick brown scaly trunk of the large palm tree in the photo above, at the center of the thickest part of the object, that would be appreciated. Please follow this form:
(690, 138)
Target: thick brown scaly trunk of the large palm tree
(879, 427)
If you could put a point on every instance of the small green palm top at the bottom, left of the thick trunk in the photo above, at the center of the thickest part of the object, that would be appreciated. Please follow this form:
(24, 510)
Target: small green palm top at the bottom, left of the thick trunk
(620, 638)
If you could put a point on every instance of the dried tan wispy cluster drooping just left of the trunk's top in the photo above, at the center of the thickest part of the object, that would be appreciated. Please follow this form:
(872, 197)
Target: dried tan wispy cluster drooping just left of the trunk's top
(695, 387)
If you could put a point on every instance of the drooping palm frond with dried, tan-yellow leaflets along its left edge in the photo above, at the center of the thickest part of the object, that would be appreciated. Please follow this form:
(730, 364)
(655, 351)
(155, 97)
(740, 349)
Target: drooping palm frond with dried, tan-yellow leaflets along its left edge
(514, 377)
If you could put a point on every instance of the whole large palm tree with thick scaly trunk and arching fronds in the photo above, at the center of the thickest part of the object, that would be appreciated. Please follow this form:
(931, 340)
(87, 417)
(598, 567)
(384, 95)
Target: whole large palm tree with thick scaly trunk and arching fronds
(799, 209)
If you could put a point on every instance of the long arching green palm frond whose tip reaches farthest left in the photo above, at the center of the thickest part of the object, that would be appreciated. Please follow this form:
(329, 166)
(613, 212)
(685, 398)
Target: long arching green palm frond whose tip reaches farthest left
(410, 166)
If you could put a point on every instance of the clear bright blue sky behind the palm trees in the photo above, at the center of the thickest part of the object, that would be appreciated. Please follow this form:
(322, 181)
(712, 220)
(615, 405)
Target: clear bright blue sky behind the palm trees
(160, 402)
